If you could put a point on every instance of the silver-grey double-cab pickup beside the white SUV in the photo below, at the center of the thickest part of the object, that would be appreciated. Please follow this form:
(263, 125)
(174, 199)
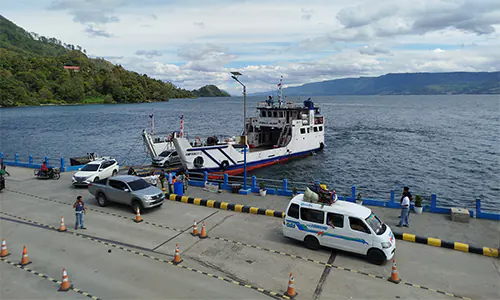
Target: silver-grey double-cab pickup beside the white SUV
(127, 189)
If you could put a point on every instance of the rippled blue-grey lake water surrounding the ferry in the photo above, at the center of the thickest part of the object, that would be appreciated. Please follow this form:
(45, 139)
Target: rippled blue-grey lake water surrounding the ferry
(448, 145)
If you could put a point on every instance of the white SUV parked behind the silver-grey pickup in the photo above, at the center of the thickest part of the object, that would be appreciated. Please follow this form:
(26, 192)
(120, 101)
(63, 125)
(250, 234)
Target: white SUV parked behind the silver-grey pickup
(96, 170)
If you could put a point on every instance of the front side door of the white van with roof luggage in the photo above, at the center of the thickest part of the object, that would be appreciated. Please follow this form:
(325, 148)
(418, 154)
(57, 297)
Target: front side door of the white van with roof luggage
(359, 238)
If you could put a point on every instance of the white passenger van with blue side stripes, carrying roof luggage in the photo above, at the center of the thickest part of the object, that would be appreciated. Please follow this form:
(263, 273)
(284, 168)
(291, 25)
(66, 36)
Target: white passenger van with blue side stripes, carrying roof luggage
(342, 225)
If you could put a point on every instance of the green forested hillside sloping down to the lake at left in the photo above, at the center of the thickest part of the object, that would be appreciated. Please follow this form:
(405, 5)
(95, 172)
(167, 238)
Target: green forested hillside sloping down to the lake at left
(32, 72)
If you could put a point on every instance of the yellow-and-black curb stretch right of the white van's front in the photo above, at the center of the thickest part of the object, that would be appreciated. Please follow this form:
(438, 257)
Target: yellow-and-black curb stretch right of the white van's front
(486, 251)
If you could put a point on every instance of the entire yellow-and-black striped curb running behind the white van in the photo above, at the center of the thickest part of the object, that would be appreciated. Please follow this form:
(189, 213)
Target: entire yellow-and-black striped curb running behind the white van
(486, 251)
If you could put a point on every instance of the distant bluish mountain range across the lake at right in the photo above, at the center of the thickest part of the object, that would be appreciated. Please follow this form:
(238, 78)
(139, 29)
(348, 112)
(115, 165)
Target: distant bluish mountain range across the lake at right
(403, 84)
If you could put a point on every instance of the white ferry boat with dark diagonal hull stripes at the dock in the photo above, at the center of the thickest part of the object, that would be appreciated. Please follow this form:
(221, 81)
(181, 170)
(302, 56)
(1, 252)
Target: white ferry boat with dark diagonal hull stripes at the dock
(279, 133)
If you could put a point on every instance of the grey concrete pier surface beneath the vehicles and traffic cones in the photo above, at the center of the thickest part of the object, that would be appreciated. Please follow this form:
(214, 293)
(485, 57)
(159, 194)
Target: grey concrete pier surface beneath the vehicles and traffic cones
(245, 256)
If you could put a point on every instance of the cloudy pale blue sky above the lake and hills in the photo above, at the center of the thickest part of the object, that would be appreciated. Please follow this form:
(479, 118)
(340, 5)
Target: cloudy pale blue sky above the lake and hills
(192, 43)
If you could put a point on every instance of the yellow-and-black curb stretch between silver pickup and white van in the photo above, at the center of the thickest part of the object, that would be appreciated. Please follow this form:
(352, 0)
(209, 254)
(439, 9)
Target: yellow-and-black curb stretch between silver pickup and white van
(226, 206)
